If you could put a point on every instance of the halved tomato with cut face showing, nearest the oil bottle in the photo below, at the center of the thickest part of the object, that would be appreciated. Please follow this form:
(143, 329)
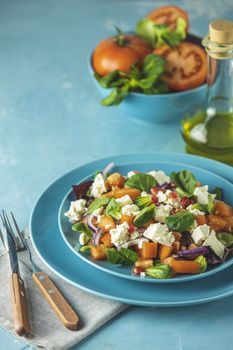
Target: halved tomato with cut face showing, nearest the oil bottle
(186, 65)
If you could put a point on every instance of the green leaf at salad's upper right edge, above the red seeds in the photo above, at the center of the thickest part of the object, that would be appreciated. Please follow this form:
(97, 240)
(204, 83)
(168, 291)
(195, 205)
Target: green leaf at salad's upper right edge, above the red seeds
(185, 182)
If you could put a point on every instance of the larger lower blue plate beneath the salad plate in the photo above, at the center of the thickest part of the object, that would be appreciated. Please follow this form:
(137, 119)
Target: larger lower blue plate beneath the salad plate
(53, 250)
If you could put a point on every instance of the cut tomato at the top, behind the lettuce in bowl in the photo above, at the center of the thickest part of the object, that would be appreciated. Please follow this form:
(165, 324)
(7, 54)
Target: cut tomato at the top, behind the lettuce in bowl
(168, 15)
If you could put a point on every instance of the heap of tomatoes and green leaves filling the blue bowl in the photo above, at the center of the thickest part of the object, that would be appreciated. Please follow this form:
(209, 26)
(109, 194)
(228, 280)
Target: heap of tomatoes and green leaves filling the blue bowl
(158, 57)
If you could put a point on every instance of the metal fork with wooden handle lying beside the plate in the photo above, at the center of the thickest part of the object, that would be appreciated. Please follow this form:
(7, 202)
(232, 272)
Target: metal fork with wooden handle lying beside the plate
(48, 289)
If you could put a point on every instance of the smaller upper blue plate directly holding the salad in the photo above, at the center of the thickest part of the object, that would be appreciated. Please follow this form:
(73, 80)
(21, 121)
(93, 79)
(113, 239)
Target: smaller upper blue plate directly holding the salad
(203, 176)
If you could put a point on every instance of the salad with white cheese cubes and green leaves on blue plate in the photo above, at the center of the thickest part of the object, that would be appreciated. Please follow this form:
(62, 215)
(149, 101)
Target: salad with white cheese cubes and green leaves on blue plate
(162, 225)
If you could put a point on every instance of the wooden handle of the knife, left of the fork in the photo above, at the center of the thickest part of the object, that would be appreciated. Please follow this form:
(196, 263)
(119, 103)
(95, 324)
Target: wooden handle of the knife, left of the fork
(19, 303)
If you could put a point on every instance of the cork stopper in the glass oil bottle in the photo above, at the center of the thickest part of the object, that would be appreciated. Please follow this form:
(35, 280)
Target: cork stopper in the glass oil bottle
(221, 31)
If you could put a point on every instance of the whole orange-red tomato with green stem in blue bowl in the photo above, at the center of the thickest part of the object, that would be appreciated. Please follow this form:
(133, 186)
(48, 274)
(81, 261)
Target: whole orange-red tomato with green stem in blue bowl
(119, 53)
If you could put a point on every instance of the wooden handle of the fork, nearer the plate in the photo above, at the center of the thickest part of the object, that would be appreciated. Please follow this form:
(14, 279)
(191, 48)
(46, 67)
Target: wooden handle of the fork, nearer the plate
(58, 303)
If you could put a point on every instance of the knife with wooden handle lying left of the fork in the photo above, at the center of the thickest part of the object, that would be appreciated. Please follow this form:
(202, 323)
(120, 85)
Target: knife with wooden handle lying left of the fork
(22, 325)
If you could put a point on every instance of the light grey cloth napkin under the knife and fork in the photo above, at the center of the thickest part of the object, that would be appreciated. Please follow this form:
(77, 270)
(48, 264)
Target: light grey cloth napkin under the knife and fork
(49, 332)
